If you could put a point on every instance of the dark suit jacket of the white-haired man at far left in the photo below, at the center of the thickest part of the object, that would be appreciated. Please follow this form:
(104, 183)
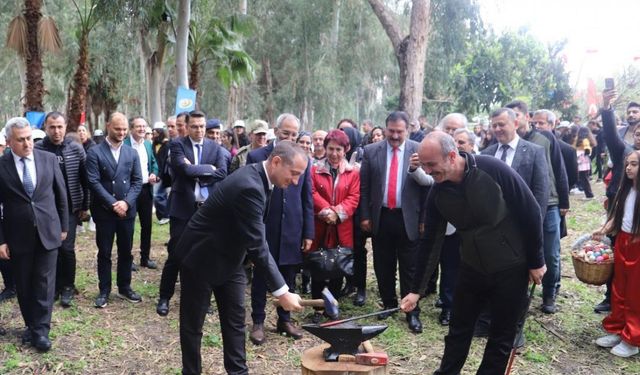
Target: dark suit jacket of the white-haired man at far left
(47, 209)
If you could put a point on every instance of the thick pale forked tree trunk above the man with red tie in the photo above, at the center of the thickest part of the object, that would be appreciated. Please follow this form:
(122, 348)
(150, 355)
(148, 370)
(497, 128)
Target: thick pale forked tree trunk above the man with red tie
(410, 51)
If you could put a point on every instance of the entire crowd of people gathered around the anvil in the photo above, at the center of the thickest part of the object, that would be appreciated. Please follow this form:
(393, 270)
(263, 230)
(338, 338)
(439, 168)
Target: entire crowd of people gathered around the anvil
(480, 209)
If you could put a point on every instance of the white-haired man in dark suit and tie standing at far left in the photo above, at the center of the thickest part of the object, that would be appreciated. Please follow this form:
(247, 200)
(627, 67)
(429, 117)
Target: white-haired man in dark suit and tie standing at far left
(34, 224)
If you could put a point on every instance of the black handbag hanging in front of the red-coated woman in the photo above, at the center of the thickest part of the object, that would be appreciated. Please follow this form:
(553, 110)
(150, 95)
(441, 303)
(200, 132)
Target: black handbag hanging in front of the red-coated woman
(329, 264)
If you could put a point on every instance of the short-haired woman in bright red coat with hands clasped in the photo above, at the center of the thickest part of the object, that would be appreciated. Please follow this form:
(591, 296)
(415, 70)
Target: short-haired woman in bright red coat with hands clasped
(336, 192)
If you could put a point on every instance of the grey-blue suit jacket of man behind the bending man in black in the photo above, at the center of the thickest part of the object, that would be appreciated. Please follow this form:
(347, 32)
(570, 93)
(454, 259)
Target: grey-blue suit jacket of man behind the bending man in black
(531, 164)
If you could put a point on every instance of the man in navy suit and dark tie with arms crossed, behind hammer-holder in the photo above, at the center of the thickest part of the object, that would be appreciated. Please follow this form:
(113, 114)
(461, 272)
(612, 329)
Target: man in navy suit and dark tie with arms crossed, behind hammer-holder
(197, 163)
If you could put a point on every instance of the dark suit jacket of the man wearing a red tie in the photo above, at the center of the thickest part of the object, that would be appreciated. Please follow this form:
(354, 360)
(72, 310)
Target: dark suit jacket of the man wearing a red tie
(372, 177)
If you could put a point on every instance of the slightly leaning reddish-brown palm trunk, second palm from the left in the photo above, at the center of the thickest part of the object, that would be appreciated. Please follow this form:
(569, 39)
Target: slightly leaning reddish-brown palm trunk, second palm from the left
(80, 83)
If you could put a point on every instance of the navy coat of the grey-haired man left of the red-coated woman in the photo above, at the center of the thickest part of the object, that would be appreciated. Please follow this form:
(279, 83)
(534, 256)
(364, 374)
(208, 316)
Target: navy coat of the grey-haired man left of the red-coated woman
(290, 216)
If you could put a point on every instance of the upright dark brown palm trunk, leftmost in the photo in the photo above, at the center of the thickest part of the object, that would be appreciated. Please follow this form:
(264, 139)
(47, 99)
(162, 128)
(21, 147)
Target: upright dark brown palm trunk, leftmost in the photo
(33, 59)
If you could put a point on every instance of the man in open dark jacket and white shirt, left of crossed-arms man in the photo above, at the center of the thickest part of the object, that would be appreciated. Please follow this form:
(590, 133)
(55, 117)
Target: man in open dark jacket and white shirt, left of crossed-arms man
(149, 172)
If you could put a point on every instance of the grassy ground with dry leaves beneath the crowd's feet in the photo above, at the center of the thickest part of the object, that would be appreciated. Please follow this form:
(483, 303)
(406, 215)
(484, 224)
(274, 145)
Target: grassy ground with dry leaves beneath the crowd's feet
(132, 339)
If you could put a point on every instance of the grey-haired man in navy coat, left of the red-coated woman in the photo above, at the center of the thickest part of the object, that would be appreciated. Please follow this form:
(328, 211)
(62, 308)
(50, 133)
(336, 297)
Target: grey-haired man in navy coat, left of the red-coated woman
(290, 228)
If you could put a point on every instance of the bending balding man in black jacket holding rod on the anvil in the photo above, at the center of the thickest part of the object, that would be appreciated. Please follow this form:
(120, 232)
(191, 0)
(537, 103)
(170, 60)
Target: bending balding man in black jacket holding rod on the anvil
(500, 228)
